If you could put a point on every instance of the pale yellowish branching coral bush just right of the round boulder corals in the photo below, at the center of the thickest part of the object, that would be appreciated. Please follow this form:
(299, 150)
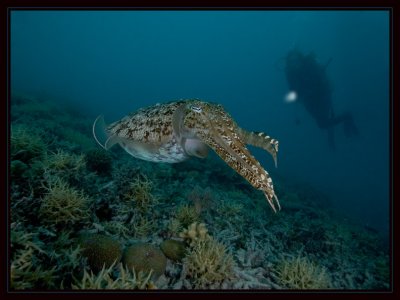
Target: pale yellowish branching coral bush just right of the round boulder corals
(208, 263)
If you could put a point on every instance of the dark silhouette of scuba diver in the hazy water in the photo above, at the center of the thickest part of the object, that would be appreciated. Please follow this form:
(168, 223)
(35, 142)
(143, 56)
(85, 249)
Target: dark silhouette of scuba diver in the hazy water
(309, 81)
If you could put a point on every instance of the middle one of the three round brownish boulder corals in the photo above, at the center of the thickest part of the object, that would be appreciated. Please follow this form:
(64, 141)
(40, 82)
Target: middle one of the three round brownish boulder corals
(145, 257)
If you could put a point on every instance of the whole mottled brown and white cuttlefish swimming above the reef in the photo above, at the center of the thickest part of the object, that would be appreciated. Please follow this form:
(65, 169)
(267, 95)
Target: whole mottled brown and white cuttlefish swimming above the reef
(175, 131)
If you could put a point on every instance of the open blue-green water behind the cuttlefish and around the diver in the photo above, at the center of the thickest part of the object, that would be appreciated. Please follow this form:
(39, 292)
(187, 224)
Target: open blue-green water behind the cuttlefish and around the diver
(114, 62)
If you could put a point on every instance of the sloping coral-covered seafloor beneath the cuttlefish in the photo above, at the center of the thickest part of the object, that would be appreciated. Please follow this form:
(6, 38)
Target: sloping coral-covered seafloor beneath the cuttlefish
(85, 218)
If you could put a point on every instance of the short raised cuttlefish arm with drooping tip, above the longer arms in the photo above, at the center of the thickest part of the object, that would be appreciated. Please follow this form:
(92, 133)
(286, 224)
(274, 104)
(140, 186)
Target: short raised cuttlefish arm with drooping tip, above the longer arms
(261, 140)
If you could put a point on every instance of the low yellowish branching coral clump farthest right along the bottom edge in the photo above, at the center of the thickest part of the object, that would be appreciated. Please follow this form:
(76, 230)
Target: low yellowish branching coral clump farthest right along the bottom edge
(301, 273)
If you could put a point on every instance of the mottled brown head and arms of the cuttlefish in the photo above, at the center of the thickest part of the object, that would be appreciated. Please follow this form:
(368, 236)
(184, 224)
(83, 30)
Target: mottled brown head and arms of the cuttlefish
(217, 129)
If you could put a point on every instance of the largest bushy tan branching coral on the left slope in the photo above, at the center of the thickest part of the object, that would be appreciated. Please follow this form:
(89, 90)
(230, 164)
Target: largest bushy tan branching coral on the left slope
(63, 205)
